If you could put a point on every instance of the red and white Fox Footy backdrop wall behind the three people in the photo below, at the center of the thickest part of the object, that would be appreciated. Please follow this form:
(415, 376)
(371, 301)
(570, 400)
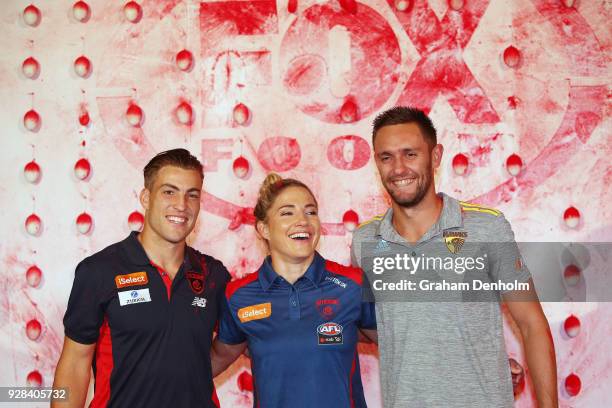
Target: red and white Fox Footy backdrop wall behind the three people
(91, 90)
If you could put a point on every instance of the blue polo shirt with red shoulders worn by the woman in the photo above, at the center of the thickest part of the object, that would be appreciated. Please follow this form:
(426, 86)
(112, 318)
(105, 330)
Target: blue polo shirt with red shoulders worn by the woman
(302, 338)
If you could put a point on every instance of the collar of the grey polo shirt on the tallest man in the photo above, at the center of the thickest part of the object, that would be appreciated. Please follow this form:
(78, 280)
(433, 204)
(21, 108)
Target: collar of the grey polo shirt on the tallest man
(450, 217)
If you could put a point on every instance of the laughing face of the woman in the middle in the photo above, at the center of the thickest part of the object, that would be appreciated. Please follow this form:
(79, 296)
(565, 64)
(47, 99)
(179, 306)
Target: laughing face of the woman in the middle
(292, 228)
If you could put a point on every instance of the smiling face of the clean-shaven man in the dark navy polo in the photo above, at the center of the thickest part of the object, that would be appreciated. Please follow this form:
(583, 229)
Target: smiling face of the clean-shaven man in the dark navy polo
(173, 203)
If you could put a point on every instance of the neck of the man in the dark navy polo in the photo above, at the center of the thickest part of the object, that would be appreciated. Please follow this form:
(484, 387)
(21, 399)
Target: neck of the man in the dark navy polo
(167, 255)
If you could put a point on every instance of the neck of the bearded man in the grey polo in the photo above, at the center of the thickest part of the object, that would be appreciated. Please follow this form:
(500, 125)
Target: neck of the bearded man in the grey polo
(413, 222)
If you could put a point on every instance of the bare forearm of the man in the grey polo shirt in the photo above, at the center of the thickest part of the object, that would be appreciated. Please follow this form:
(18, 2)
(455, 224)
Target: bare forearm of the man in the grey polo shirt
(540, 354)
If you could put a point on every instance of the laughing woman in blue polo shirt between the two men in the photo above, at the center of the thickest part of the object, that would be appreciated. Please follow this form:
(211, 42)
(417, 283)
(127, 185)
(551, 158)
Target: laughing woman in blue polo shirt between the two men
(299, 313)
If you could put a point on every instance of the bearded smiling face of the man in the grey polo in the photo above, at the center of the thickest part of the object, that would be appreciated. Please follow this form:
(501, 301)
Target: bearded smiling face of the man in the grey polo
(406, 163)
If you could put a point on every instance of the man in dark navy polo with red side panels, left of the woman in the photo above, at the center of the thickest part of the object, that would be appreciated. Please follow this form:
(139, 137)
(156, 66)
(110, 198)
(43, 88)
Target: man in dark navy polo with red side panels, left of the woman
(142, 311)
